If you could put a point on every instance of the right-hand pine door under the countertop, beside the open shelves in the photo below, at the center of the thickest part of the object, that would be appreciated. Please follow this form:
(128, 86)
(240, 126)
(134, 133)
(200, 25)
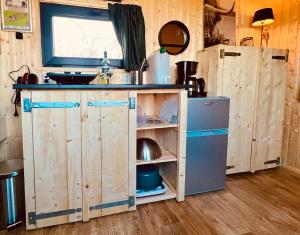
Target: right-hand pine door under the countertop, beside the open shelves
(106, 152)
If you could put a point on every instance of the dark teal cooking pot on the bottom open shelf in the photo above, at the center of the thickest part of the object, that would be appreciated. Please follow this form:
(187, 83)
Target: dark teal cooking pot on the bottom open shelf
(148, 177)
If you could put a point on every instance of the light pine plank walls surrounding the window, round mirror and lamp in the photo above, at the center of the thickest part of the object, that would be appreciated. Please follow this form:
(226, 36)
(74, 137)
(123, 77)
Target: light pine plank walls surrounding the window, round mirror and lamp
(284, 33)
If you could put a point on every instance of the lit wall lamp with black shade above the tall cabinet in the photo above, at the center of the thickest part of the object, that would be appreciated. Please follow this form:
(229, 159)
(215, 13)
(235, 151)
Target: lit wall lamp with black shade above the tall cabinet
(262, 18)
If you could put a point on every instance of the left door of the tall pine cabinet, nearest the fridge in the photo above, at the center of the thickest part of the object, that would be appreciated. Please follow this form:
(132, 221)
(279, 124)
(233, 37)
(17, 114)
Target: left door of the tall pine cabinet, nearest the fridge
(237, 80)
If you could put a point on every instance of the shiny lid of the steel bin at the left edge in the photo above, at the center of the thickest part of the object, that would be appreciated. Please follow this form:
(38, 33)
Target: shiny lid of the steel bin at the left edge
(11, 168)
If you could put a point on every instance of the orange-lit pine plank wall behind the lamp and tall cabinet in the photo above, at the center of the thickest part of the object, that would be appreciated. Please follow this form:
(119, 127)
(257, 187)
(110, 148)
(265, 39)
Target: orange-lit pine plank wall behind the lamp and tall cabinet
(284, 33)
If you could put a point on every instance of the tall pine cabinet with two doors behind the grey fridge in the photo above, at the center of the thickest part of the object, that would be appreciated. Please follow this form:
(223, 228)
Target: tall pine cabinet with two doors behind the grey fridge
(254, 80)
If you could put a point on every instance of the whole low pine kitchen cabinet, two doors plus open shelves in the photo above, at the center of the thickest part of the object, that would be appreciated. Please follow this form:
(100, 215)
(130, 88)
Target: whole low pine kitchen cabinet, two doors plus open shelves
(80, 152)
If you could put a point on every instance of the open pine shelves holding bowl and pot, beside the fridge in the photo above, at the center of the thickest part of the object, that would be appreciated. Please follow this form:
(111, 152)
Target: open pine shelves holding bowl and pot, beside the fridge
(168, 136)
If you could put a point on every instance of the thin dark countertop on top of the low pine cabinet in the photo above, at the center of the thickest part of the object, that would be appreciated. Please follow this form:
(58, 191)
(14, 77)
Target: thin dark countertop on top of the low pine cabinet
(96, 87)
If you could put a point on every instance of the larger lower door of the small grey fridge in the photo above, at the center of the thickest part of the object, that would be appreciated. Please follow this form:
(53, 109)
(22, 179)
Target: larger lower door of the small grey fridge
(205, 162)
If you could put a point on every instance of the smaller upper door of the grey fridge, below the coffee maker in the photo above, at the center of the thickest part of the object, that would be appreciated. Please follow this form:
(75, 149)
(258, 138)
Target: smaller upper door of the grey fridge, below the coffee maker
(207, 113)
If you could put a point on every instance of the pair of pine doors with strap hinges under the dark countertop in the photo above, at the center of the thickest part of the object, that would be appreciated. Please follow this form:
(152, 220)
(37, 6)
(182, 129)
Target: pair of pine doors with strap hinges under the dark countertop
(77, 155)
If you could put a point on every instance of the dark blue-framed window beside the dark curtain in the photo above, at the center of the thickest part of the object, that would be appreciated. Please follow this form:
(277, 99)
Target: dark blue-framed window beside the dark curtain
(77, 36)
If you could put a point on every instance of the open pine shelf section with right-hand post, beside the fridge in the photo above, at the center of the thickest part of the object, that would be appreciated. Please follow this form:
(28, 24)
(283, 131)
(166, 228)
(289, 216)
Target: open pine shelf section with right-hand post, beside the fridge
(172, 140)
